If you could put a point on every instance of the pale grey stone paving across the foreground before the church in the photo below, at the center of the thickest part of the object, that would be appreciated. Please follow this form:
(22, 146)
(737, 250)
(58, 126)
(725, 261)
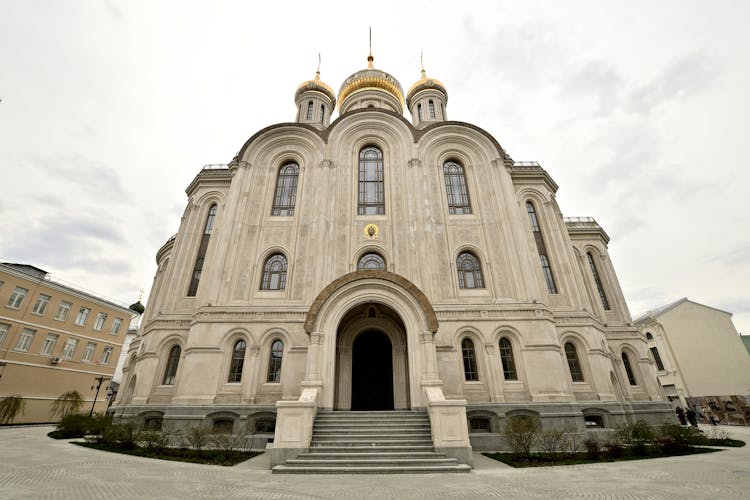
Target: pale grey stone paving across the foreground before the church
(34, 466)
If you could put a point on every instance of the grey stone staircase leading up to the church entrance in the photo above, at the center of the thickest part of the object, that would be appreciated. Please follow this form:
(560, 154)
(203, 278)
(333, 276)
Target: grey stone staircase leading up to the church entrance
(371, 442)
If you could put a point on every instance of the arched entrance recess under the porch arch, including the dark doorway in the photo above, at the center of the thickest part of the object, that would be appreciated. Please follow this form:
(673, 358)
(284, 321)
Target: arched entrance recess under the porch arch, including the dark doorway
(371, 360)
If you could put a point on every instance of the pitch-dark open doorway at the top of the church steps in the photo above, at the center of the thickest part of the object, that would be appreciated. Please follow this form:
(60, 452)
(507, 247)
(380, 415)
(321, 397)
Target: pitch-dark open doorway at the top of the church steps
(372, 372)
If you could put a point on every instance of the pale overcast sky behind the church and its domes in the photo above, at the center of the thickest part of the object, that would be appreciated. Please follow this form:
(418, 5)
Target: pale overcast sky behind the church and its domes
(638, 109)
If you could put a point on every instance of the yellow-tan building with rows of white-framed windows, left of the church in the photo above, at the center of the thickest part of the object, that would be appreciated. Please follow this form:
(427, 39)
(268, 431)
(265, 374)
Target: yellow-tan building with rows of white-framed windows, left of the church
(53, 339)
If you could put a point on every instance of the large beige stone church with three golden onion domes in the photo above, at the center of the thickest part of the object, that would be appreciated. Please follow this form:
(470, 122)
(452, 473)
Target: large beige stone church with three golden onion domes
(377, 267)
